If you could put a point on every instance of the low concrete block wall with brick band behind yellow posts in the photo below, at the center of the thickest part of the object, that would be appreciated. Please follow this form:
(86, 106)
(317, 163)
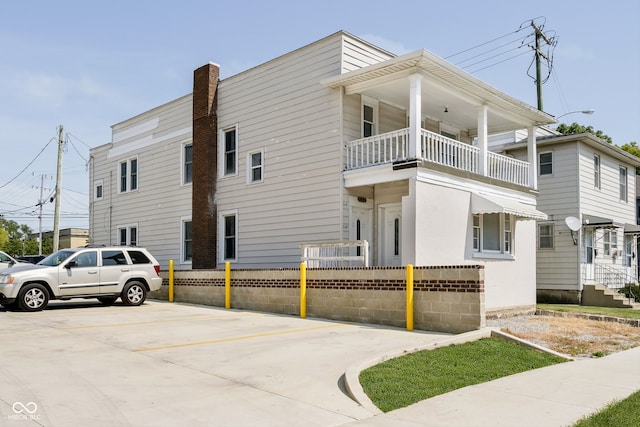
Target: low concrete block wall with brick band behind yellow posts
(446, 299)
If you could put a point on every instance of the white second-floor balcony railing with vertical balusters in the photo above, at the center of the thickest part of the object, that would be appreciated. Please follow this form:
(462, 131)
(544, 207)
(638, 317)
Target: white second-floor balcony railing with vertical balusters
(434, 148)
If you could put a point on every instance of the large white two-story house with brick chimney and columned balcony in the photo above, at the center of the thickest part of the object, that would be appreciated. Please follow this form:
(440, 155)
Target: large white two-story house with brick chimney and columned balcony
(336, 141)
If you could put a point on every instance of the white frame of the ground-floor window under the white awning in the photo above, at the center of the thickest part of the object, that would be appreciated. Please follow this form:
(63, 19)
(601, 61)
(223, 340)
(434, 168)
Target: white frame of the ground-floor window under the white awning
(506, 250)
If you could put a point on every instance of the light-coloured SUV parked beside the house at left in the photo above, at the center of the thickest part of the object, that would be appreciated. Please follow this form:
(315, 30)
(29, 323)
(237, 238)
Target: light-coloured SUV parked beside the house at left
(105, 273)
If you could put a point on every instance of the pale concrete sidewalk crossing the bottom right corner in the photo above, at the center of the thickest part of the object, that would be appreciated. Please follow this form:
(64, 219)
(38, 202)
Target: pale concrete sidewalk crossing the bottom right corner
(557, 395)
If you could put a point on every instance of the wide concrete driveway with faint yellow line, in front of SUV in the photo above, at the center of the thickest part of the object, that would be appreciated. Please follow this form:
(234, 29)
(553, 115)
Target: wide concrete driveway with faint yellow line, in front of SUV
(164, 364)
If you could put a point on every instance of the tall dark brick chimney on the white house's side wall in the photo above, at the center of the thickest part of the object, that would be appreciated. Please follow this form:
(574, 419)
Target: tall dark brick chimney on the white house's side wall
(205, 167)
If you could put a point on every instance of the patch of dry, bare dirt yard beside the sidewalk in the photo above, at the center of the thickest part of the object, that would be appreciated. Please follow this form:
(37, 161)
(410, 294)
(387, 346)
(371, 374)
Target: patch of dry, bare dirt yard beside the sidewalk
(574, 336)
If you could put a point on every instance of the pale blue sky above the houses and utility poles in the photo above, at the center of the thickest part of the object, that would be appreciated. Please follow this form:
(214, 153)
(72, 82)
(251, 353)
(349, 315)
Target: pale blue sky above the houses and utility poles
(87, 65)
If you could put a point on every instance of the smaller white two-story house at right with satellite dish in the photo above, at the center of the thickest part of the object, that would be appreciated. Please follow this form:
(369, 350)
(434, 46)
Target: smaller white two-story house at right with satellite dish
(592, 183)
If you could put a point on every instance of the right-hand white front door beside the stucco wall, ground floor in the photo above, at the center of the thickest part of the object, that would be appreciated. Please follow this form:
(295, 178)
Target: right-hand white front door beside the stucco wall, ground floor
(390, 230)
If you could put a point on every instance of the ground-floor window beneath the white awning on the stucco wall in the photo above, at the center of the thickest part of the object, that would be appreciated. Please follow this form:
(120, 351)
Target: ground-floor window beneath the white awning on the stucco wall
(493, 233)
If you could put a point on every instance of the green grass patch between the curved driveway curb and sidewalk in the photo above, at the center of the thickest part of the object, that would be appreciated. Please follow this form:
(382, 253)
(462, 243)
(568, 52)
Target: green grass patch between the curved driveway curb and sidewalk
(405, 380)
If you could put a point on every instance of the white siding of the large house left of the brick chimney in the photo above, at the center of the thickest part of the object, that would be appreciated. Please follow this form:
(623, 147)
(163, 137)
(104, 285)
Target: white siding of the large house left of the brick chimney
(156, 138)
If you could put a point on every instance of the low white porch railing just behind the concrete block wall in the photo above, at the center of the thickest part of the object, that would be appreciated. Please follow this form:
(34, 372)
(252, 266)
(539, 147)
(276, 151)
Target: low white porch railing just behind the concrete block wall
(335, 253)
